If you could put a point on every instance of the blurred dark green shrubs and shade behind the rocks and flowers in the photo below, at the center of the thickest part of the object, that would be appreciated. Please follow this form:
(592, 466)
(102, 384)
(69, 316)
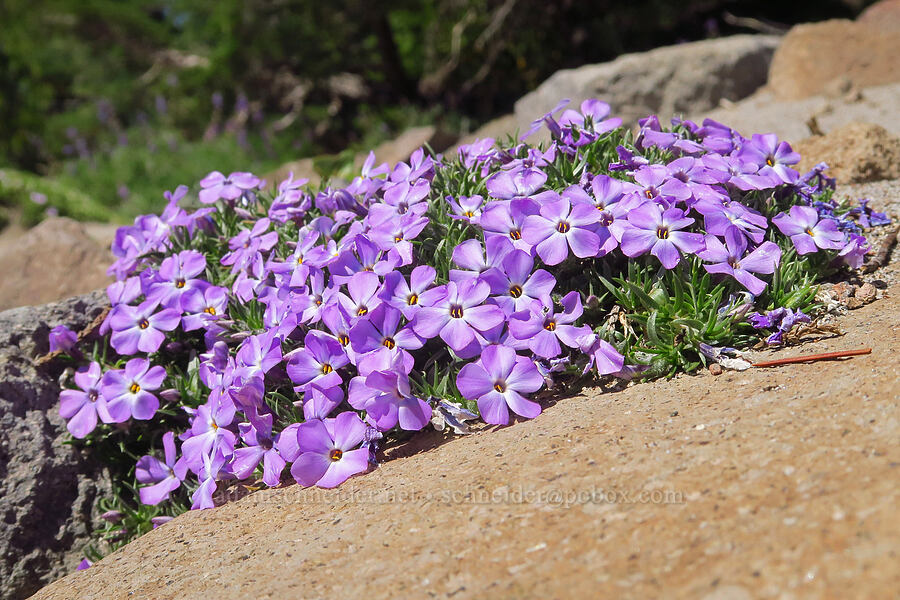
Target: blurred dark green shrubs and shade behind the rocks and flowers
(104, 104)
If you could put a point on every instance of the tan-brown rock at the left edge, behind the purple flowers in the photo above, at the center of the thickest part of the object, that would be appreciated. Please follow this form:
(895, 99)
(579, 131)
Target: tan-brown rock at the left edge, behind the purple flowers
(56, 259)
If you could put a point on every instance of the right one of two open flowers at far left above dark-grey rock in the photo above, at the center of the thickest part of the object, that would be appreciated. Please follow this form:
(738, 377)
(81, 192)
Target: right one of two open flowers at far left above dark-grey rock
(126, 392)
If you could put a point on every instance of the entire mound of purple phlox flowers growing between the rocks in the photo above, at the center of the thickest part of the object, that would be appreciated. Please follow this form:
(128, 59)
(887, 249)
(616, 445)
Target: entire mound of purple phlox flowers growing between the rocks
(295, 330)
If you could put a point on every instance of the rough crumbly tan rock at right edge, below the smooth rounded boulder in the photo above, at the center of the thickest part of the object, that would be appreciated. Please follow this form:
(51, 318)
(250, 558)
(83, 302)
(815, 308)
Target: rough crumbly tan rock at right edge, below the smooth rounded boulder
(855, 153)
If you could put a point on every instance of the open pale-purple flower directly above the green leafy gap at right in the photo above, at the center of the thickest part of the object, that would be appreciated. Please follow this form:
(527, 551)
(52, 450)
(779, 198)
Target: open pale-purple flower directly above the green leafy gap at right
(657, 231)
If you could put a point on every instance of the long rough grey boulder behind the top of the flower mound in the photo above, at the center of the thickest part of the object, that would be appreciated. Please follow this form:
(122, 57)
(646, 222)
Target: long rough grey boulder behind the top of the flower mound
(670, 80)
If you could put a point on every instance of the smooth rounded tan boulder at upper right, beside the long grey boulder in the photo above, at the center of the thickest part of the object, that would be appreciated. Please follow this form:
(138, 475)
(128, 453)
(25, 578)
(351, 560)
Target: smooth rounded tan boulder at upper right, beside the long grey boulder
(814, 54)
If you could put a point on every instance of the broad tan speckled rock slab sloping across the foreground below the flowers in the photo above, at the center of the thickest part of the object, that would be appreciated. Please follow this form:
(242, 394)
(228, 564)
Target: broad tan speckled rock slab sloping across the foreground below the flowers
(769, 483)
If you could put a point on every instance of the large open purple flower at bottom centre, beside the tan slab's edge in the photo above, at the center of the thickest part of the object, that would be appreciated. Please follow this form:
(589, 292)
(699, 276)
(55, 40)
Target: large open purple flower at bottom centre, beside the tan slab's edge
(496, 380)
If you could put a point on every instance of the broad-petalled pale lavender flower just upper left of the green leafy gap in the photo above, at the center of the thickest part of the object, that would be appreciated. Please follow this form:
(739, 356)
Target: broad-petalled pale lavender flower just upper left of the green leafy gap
(560, 226)
